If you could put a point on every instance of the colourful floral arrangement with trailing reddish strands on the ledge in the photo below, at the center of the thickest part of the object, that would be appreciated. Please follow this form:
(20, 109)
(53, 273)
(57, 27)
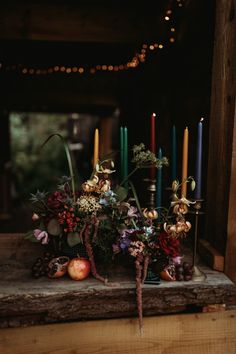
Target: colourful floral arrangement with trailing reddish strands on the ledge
(106, 217)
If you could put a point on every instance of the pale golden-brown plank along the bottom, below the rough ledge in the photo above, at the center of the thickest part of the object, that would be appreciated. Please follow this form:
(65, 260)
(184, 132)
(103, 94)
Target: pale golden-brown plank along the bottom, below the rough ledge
(206, 333)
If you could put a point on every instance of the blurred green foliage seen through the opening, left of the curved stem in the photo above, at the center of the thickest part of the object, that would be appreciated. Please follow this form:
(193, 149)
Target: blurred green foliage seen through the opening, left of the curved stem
(34, 168)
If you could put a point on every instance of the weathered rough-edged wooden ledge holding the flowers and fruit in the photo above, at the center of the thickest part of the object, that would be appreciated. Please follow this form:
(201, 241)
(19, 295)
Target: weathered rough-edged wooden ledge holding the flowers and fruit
(25, 301)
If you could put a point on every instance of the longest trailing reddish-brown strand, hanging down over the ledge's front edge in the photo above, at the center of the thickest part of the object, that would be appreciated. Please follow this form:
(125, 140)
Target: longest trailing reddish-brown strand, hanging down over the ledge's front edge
(138, 265)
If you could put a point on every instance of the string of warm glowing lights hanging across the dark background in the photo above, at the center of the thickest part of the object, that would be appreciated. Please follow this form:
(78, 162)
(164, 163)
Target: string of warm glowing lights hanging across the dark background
(139, 57)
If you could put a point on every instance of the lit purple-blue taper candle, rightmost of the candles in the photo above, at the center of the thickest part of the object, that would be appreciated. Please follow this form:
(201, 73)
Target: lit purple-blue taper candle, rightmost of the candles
(198, 173)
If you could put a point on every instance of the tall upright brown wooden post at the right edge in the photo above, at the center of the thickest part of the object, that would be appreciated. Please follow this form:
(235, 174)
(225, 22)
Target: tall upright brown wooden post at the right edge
(221, 187)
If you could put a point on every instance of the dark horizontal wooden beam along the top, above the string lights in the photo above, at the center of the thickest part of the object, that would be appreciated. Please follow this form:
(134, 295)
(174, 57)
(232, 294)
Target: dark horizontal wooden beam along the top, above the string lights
(83, 21)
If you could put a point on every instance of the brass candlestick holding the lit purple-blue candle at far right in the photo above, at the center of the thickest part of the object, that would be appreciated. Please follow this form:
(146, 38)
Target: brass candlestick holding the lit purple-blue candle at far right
(198, 275)
